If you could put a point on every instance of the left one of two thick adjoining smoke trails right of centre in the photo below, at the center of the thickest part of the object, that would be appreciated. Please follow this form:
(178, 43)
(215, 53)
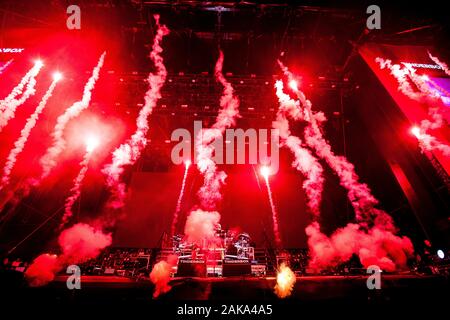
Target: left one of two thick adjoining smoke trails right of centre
(304, 162)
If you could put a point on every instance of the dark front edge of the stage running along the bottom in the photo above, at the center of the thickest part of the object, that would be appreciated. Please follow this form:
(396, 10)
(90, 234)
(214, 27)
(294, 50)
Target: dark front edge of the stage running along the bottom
(308, 289)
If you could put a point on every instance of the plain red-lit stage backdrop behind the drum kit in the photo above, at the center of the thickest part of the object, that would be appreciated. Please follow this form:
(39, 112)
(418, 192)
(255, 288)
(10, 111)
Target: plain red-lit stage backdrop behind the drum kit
(245, 206)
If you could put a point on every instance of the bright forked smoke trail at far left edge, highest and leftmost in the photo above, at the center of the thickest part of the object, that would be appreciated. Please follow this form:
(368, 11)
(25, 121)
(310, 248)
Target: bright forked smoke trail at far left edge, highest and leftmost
(9, 105)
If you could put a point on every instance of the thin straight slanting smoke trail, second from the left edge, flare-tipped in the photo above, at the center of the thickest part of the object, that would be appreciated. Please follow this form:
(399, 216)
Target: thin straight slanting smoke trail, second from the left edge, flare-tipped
(19, 145)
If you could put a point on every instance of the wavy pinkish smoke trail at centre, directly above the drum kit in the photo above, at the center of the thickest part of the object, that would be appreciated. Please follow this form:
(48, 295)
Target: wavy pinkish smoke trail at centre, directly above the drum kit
(209, 193)
